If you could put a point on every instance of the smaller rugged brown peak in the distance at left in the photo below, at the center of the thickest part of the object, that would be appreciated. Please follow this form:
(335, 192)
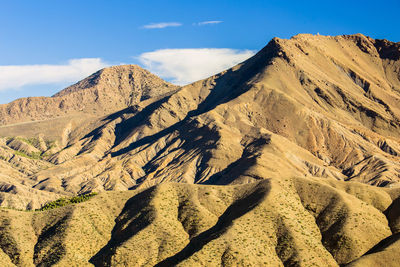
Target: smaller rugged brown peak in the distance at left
(103, 92)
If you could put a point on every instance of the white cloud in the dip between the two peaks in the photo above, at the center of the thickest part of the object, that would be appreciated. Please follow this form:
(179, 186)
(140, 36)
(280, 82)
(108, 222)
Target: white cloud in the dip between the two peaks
(183, 66)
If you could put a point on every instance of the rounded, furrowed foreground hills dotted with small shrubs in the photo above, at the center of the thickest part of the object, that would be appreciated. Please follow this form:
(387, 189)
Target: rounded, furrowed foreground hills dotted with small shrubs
(274, 222)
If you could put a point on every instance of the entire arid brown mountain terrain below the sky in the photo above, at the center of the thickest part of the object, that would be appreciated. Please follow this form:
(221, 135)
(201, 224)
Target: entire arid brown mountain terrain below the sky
(291, 158)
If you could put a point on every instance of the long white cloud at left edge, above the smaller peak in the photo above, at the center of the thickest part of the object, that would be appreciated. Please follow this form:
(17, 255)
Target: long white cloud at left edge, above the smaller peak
(16, 76)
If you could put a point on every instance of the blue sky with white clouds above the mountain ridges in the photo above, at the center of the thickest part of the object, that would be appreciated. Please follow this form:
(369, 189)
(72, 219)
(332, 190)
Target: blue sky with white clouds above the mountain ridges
(46, 45)
